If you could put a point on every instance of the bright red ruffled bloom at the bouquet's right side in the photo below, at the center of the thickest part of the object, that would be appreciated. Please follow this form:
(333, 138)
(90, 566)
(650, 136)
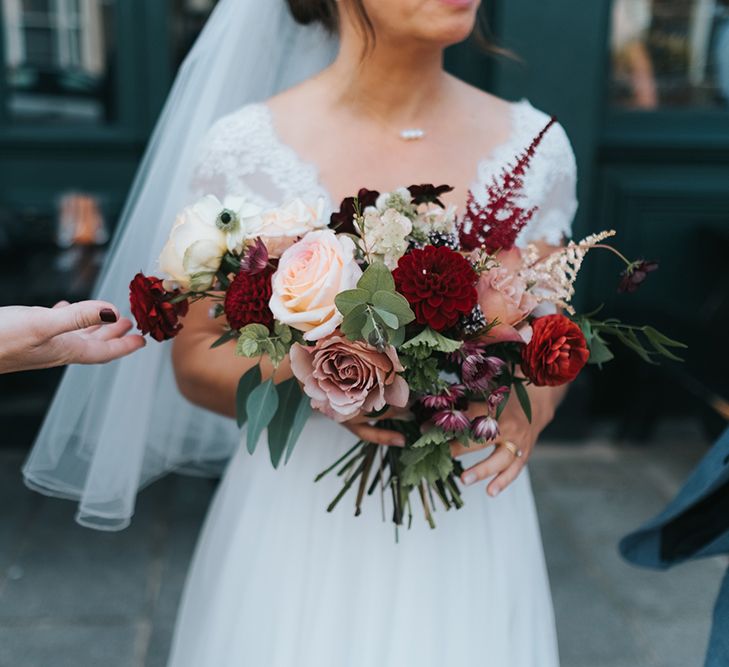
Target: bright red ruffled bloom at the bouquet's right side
(556, 353)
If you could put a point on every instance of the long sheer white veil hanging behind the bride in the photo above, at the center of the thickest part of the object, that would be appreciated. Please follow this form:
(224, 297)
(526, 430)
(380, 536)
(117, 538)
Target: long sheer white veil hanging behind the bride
(113, 429)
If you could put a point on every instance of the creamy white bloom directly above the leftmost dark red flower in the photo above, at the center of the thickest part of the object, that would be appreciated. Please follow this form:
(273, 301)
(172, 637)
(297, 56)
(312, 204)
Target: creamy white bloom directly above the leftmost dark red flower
(195, 247)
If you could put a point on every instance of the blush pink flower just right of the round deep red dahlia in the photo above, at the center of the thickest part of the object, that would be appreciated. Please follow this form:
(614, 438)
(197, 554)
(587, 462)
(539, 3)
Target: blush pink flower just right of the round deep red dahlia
(503, 295)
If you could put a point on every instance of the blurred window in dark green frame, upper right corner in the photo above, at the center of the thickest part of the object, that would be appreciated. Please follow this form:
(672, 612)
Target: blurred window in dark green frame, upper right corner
(670, 53)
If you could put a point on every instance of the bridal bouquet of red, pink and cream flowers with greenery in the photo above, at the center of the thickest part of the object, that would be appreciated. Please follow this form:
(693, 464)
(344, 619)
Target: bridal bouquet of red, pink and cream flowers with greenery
(396, 308)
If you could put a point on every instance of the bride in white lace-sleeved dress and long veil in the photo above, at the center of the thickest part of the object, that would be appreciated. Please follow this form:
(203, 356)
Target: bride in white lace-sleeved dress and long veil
(275, 580)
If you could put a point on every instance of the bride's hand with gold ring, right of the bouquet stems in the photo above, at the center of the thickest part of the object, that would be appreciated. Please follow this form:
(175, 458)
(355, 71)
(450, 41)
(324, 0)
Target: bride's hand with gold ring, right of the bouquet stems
(503, 464)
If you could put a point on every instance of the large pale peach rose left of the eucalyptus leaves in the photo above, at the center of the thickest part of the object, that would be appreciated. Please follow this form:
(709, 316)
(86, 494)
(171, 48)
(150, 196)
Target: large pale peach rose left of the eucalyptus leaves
(310, 274)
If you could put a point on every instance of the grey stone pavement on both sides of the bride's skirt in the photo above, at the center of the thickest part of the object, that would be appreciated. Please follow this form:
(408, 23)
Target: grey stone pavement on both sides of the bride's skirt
(70, 597)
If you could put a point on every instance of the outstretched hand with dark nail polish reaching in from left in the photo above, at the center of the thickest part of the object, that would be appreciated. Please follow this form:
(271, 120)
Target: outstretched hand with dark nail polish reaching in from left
(88, 332)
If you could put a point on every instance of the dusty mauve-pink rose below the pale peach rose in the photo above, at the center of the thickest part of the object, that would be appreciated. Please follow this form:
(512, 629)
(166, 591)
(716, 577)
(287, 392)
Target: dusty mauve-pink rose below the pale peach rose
(344, 378)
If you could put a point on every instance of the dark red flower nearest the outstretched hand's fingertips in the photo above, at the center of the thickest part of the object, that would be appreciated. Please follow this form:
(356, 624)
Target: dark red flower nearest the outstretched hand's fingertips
(153, 308)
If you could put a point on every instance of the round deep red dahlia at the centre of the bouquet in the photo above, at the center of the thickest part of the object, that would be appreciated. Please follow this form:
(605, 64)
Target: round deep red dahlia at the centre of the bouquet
(439, 284)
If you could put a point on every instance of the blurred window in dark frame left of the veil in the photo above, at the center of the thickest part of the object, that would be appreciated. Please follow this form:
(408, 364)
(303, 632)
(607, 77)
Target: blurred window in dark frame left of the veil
(60, 60)
